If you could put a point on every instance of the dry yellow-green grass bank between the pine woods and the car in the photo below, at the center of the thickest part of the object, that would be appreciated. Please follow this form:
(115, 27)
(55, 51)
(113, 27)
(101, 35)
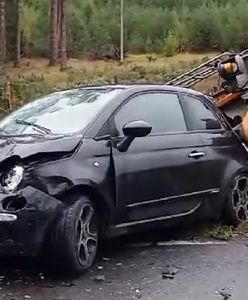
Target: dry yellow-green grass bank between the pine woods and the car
(34, 76)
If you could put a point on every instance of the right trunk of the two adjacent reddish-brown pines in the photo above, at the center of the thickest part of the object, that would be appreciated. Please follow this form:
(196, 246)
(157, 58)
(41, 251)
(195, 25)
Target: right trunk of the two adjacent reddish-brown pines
(63, 42)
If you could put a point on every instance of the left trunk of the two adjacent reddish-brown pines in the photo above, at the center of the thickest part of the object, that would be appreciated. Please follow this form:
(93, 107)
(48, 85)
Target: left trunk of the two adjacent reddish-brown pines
(53, 47)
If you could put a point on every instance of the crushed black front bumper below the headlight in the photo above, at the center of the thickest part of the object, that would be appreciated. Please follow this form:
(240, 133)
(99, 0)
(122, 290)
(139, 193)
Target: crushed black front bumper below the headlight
(23, 230)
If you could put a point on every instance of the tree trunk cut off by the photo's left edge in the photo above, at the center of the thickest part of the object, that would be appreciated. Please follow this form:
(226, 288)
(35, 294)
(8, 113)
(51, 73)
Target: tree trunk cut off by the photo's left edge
(2, 35)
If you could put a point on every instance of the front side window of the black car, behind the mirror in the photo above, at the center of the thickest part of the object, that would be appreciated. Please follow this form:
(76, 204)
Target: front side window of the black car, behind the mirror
(161, 110)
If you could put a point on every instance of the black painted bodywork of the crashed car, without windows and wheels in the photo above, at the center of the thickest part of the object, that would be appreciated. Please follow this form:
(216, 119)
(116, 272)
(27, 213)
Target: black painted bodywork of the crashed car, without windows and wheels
(129, 188)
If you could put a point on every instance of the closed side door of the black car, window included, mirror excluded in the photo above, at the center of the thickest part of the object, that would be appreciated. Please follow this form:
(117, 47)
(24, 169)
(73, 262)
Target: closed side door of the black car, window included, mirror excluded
(160, 175)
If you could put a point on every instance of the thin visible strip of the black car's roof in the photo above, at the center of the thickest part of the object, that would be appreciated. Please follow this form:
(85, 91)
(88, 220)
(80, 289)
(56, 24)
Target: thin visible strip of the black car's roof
(140, 87)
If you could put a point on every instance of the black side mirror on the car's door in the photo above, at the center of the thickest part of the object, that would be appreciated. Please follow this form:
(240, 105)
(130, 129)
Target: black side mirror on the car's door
(132, 130)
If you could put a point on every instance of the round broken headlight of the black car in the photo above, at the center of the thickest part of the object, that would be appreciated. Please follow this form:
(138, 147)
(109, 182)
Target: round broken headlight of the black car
(12, 178)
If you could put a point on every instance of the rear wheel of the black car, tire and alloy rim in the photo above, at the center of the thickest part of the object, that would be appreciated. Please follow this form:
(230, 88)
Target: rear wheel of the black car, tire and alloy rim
(236, 206)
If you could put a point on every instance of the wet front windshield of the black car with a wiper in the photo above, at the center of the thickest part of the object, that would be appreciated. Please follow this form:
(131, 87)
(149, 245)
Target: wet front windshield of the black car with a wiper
(58, 113)
